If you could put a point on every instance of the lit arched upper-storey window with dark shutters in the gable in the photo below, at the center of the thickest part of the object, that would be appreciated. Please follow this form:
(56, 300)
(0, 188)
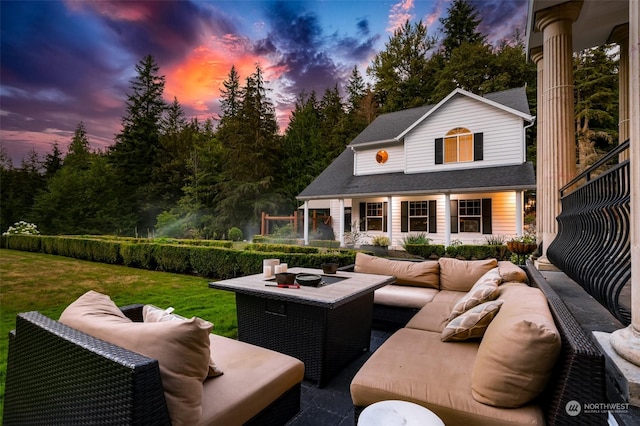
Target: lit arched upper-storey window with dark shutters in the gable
(459, 146)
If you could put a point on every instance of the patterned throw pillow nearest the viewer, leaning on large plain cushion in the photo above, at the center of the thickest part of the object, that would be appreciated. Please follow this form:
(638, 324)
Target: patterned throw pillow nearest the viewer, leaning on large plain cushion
(471, 324)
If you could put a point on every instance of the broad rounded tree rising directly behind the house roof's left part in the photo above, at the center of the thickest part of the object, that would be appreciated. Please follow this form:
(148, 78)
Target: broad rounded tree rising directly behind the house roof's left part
(401, 71)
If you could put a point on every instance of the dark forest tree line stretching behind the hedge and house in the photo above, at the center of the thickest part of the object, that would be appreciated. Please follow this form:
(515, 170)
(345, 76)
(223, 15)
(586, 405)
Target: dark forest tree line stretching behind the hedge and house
(167, 175)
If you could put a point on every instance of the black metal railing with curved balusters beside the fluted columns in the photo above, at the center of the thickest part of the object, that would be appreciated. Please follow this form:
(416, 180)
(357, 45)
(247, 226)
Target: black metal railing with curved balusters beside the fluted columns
(593, 242)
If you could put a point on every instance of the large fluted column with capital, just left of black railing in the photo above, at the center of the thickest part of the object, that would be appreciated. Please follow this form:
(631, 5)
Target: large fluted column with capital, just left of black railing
(558, 160)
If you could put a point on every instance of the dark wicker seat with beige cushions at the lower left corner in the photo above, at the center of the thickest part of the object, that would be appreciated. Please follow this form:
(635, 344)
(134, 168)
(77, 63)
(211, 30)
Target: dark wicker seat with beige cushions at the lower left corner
(57, 374)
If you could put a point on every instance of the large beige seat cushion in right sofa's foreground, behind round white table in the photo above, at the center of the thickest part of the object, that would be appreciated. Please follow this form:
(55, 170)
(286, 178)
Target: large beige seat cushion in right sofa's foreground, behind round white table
(415, 366)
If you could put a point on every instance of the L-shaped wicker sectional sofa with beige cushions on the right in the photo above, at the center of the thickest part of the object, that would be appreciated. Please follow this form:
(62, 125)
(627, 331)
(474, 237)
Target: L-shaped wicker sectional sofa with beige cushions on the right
(520, 365)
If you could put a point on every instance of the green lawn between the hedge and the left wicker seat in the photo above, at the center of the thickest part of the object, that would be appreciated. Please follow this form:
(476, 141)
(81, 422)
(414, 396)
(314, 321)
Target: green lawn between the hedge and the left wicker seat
(46, 283)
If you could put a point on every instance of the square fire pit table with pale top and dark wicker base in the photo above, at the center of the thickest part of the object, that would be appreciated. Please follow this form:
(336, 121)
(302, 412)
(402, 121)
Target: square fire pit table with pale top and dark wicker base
(326, 327)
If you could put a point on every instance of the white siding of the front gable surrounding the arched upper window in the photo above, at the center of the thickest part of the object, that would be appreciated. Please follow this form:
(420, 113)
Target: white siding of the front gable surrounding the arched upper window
(503, 135)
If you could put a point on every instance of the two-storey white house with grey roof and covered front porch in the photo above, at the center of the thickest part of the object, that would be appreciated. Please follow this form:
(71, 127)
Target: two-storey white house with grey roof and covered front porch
(454, 171)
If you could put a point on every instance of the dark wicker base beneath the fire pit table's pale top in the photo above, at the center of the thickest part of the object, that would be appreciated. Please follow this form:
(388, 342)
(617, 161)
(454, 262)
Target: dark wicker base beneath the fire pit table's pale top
(326, 340)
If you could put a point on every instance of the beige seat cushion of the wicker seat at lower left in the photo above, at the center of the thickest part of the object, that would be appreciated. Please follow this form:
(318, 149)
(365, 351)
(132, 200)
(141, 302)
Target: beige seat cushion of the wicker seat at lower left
(254, 378)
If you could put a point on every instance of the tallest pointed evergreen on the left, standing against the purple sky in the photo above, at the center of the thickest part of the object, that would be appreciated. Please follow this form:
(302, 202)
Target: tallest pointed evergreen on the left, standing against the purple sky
(135, 153)
